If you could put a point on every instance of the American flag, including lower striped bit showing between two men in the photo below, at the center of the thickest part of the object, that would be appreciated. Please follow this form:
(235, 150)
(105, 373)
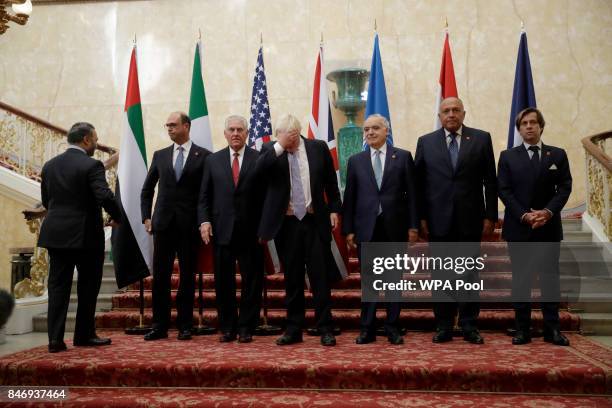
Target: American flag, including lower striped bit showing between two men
(260, 131)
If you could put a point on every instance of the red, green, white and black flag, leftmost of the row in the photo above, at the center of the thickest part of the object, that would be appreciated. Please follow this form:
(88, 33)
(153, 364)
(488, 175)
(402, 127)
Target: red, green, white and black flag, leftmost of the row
(132, 246)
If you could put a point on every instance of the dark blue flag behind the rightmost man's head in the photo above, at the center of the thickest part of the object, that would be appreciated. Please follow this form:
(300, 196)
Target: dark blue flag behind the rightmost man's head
(523, 95)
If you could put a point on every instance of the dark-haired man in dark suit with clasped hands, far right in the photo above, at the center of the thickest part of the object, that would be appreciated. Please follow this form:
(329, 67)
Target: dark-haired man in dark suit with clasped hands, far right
(534, 184)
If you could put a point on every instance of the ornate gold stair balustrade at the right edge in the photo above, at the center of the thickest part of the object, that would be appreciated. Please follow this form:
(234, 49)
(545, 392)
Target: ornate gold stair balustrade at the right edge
(599, 179)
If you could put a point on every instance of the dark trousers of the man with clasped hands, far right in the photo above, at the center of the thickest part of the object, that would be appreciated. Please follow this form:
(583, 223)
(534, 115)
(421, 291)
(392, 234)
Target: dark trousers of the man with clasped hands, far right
(529, 261)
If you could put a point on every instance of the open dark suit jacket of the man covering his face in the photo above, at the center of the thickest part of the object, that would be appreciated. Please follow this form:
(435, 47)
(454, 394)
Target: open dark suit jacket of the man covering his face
(323, 188)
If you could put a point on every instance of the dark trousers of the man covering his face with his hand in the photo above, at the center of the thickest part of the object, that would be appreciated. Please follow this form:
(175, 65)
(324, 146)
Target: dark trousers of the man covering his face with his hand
(301, 250)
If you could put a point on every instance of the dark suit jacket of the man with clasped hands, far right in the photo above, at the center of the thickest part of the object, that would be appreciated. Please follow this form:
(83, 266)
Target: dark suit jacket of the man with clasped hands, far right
(521, 189)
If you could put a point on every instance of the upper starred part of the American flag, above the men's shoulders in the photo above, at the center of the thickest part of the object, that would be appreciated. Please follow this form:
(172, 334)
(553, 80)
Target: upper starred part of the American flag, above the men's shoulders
(260, 124)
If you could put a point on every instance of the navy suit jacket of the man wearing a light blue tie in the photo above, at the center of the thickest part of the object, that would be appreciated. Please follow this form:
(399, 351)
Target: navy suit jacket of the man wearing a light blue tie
(396, 196)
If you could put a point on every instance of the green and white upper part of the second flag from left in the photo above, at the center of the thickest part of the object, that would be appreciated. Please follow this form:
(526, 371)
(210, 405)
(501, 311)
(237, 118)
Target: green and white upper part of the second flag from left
(198, 109)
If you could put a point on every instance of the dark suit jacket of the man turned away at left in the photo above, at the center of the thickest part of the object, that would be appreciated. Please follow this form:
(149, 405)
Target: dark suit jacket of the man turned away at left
(74, 191)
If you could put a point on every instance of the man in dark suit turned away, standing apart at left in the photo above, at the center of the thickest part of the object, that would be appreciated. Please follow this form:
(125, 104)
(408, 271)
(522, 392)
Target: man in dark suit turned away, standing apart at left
(74, 191)
